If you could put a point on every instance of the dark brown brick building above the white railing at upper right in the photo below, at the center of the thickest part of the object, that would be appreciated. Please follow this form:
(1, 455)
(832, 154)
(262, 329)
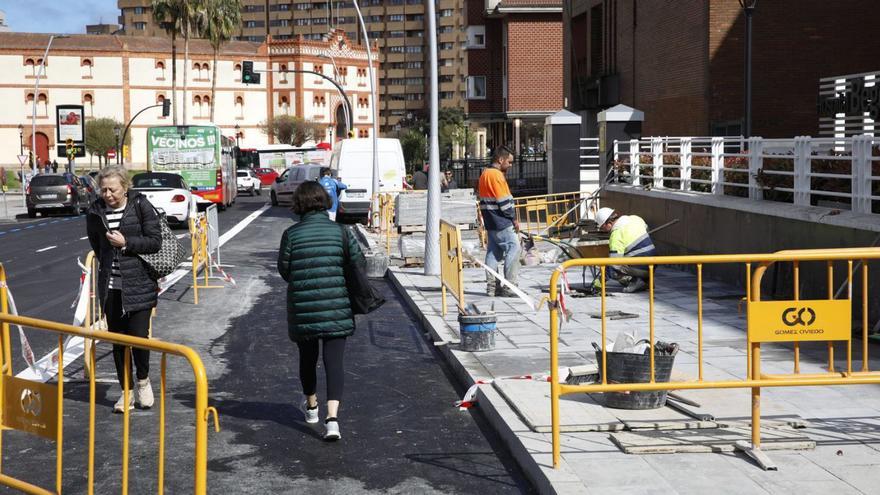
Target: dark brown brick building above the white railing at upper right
(682, 62)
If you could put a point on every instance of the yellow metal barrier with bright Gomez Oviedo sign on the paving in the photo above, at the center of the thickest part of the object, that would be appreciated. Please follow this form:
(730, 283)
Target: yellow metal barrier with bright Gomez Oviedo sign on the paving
(768, 321)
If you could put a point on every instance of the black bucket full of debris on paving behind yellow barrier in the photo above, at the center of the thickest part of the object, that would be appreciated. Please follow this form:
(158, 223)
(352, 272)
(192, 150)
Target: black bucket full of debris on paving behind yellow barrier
(625, 367)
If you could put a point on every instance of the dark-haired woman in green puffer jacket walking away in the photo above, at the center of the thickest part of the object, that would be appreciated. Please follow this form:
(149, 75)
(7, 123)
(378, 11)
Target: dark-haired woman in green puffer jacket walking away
(311, 261)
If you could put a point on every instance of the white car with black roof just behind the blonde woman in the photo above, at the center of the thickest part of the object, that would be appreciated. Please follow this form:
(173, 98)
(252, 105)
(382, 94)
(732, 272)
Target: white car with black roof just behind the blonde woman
(169, 193)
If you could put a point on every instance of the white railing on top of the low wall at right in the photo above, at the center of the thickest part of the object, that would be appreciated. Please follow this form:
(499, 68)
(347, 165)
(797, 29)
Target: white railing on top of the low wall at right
(804, 171)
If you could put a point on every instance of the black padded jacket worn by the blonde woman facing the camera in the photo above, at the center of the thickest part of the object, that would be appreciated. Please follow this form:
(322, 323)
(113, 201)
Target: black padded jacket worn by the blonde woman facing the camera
(140, 226)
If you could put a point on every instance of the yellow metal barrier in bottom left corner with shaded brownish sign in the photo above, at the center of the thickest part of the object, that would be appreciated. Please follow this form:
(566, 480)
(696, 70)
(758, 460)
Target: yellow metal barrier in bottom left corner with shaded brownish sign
(38, 408)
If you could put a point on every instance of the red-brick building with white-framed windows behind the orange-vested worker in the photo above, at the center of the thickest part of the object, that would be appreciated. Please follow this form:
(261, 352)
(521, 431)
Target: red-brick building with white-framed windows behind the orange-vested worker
(515, 75)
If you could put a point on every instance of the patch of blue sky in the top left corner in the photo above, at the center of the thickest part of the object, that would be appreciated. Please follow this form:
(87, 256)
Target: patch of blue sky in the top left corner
(57, 16)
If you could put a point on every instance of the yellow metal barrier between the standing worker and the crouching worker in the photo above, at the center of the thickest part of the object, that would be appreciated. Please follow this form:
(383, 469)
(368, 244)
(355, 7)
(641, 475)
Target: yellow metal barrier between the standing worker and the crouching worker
(541, 214)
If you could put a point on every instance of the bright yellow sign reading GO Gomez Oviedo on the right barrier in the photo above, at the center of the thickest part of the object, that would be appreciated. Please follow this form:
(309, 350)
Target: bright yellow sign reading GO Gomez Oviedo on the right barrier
(791, 321)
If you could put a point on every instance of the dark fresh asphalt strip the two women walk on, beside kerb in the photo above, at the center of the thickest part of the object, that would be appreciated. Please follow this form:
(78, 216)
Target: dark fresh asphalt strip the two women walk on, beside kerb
(401, 431)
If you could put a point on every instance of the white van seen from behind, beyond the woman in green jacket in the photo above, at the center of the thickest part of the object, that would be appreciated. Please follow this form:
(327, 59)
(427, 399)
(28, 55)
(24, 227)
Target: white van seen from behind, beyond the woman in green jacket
(352, 162)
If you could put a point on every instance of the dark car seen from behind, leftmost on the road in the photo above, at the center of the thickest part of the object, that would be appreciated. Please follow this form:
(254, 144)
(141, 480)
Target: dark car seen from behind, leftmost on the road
(56, 192)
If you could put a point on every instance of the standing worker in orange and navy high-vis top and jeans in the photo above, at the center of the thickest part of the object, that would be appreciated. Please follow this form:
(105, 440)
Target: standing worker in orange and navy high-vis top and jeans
(499, 219)
